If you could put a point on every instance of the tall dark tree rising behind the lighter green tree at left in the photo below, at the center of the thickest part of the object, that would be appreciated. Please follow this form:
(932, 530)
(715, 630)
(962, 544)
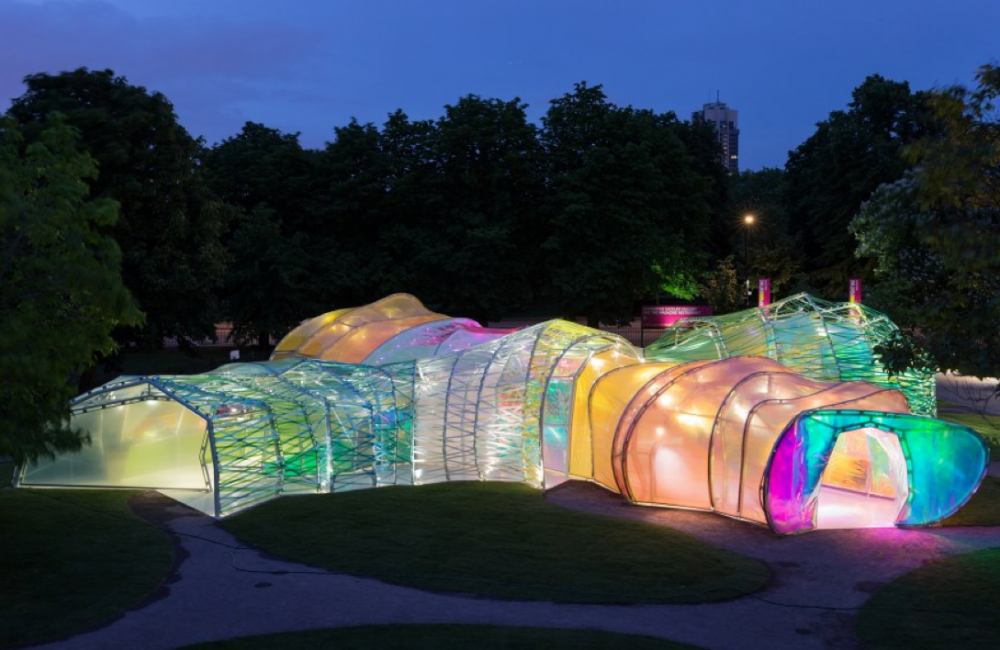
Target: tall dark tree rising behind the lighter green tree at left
(170, 228)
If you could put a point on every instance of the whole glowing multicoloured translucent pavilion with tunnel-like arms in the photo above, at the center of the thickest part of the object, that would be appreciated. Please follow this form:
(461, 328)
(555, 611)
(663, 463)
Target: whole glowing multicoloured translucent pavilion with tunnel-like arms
(392, 393)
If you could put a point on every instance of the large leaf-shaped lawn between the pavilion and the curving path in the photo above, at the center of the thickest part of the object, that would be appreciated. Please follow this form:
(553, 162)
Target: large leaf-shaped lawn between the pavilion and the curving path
(495, 539)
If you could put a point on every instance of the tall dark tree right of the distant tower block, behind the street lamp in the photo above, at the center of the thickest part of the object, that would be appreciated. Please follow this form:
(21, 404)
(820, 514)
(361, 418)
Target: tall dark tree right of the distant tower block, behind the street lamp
(832, 173)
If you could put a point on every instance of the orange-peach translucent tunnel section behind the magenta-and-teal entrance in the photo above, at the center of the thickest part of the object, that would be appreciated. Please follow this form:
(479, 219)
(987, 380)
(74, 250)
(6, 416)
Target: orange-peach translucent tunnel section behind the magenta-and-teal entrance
(700, 434)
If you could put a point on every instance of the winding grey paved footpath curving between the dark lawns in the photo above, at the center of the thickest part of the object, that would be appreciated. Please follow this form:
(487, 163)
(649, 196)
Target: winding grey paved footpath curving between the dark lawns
(218, 592)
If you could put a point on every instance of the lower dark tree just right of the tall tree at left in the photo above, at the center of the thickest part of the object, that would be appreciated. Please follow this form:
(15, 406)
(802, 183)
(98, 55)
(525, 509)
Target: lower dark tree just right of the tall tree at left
(276, 243)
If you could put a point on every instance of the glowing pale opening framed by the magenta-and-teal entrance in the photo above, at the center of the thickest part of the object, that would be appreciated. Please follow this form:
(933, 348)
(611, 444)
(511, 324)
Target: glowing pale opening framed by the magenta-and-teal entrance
(864, 484)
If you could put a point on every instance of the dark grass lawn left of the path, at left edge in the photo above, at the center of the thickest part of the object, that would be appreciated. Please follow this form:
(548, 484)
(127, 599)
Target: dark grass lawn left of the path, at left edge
(72, 560)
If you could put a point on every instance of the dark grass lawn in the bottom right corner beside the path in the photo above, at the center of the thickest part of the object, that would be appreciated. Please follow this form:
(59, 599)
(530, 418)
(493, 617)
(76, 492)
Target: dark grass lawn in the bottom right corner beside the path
(949, 605)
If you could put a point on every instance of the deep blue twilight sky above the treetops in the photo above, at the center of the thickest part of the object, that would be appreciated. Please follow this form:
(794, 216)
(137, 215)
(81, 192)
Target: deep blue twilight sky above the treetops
(310, 65)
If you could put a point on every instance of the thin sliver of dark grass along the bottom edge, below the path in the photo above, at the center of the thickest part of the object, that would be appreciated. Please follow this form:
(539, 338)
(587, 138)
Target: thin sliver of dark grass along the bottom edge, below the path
(443, 637)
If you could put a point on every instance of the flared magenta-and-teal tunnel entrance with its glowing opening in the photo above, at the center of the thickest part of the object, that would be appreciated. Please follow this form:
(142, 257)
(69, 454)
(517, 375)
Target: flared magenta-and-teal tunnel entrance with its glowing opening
(830, 468)
